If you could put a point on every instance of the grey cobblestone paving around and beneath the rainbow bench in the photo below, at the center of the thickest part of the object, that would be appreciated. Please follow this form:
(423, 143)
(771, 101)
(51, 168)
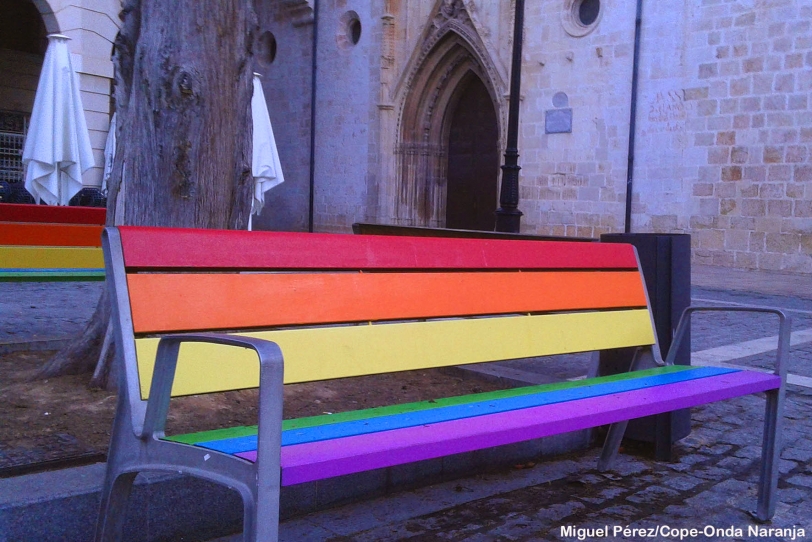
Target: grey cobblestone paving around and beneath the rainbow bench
(708, 488)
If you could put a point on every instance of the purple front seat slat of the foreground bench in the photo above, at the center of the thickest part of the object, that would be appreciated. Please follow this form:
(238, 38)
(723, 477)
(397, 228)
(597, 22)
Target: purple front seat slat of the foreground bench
(318, 460)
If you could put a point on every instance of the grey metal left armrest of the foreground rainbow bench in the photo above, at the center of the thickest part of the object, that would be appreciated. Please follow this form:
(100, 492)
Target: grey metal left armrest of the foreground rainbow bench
(271, 374)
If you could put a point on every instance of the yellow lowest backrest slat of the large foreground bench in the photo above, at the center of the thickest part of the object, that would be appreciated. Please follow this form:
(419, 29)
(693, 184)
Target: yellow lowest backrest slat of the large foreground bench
(342, 351)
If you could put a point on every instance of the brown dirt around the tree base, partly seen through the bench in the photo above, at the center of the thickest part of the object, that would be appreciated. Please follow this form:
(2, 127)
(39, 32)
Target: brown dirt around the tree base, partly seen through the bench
(45, 421)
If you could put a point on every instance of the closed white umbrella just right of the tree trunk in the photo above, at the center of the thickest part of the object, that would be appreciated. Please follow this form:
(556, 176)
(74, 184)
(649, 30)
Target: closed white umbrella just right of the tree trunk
(265, 167)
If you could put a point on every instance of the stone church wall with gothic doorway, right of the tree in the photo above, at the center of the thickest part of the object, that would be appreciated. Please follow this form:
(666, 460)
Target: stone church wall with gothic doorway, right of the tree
(722, 140)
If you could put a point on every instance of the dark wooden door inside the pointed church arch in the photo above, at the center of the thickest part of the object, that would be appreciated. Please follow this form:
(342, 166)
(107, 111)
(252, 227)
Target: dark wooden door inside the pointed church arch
(473, 161)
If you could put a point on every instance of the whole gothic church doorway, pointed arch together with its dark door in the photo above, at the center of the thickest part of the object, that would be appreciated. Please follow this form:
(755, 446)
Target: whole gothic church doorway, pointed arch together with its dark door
(451, 100)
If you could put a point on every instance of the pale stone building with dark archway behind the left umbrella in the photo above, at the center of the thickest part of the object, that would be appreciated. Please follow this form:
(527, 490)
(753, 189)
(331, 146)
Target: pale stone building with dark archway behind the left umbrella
(24, 24)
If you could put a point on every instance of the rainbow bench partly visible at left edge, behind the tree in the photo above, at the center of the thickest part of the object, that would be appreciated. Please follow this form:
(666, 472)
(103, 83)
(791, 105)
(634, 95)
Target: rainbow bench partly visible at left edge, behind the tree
(49, 243)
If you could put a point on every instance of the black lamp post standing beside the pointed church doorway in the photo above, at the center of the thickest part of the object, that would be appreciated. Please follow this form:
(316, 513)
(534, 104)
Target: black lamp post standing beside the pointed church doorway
(508, 216)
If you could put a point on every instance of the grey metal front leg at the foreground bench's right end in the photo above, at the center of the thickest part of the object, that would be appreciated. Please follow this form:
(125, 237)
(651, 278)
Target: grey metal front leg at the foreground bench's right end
(770, 455)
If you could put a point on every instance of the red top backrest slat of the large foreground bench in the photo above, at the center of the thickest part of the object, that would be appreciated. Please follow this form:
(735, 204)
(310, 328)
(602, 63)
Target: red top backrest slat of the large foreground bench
(163, 248)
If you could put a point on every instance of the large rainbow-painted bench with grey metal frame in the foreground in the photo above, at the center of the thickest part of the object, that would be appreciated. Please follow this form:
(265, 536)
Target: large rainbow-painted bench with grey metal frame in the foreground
(205, 311)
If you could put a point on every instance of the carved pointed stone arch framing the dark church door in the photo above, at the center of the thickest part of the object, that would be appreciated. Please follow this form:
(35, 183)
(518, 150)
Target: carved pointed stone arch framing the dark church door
(452, 53)
